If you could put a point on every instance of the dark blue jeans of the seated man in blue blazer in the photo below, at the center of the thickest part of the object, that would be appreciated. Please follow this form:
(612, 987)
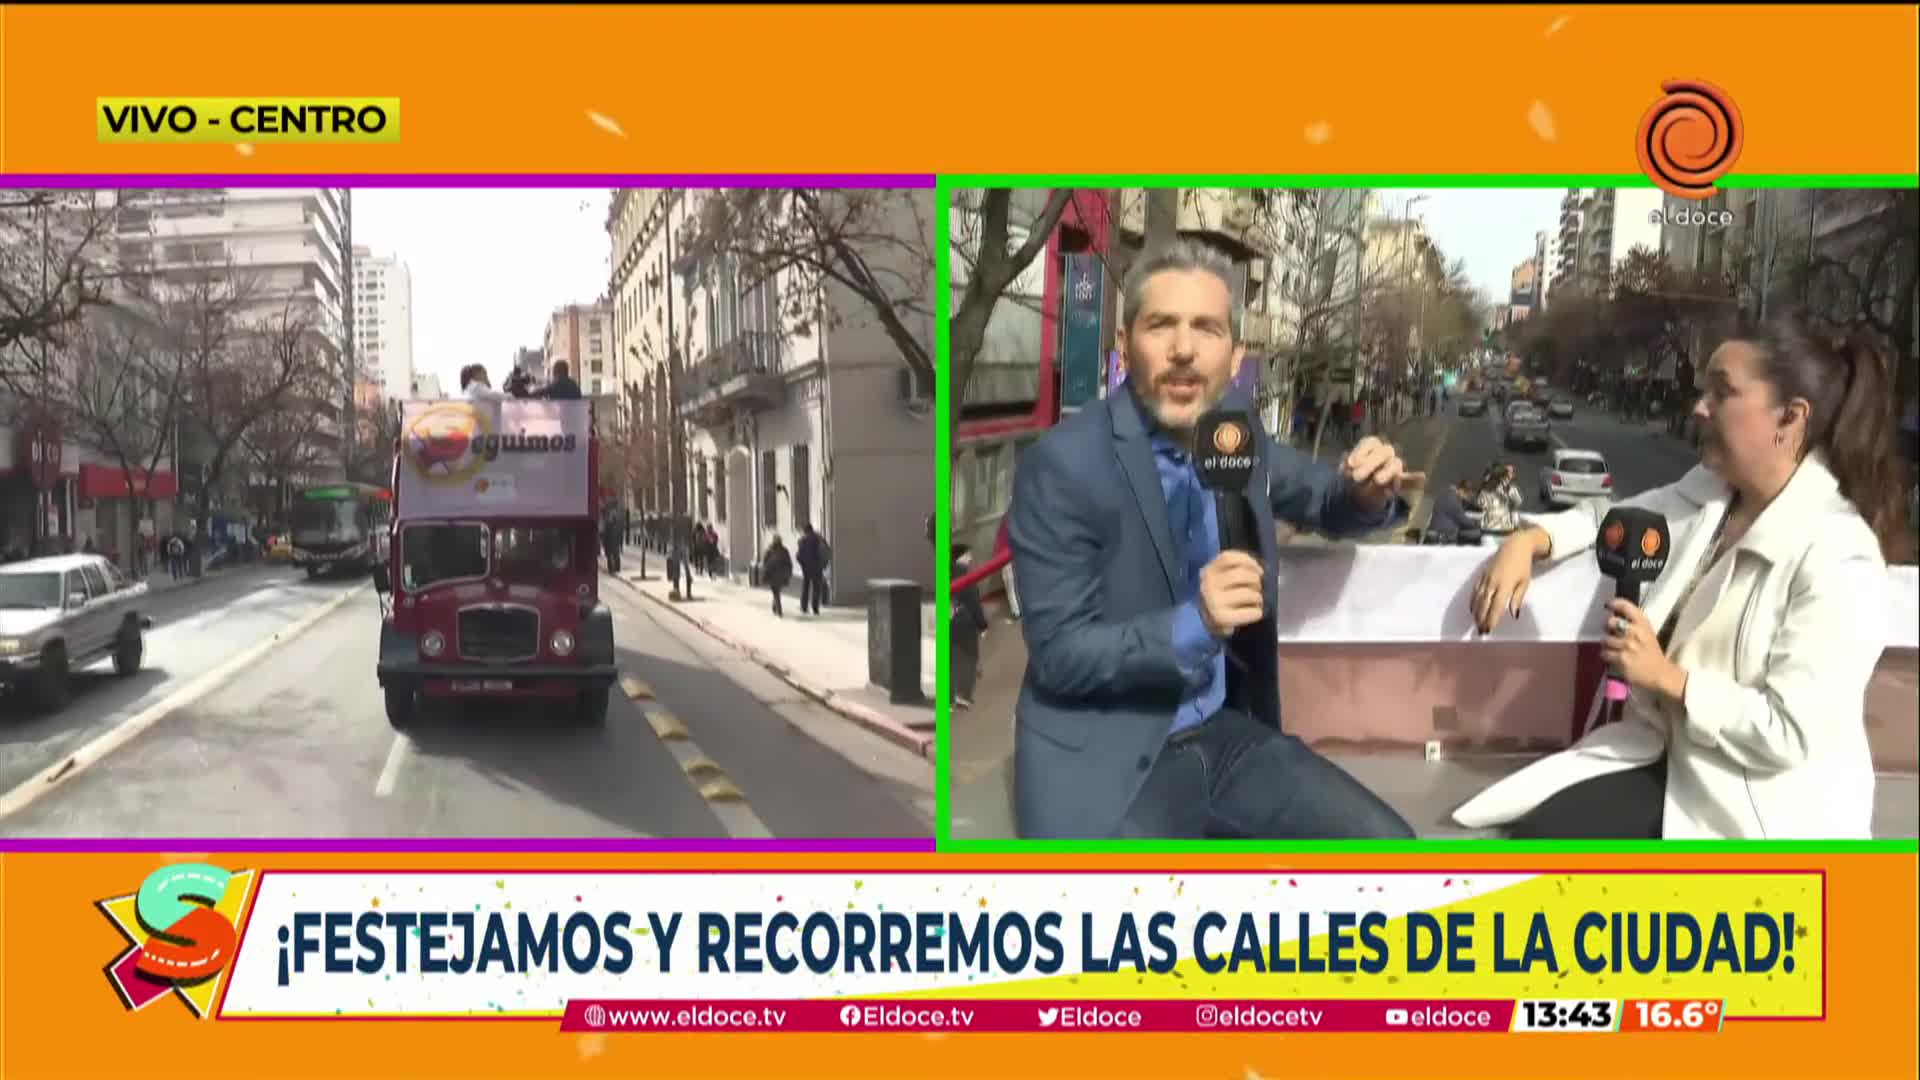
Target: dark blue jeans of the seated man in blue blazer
(1236, 779)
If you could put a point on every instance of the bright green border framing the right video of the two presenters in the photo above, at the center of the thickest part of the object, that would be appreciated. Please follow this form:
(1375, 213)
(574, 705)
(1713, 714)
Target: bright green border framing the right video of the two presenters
(946, 843)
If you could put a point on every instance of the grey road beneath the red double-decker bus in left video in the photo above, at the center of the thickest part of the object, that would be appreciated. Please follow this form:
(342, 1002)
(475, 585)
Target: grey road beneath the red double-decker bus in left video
(700, 741)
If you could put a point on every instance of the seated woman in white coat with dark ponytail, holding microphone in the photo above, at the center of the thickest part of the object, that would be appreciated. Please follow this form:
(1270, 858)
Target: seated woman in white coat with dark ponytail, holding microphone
(1752, 656)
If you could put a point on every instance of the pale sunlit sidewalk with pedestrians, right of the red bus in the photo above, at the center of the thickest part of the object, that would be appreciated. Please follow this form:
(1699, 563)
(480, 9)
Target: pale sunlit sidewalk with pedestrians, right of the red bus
(823, 656)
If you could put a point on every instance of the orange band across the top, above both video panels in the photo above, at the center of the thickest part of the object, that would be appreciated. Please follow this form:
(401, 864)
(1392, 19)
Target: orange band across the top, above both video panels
(959, 89)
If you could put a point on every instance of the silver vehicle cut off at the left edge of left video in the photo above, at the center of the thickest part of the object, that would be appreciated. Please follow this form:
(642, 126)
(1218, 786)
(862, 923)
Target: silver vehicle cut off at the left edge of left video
(62, 614)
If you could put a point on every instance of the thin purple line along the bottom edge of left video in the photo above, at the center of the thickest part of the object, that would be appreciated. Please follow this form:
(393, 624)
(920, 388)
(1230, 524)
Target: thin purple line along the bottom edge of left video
(502, 847)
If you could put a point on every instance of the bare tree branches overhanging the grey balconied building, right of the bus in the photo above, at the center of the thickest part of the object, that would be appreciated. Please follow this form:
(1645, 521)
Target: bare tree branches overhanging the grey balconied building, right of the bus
(876, 245)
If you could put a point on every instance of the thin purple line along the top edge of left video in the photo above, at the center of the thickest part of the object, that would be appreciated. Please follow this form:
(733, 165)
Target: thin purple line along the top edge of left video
(468, 180)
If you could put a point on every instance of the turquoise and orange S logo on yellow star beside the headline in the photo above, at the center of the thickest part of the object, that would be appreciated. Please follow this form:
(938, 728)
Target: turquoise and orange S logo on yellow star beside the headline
(183, 927)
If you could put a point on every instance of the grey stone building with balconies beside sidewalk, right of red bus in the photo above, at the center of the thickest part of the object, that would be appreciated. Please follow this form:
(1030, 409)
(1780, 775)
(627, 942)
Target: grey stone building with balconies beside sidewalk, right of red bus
(817, 424)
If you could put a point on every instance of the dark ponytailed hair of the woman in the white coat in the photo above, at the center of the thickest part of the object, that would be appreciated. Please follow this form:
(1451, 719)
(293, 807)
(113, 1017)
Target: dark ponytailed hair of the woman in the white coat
(1844, 380)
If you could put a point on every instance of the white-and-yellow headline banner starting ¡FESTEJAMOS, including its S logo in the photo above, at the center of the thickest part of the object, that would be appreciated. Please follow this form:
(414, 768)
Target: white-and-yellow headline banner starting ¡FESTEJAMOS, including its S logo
(1345, 948)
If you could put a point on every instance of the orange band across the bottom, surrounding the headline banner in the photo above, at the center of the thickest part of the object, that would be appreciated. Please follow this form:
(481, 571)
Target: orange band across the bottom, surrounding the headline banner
(60, 1018)
